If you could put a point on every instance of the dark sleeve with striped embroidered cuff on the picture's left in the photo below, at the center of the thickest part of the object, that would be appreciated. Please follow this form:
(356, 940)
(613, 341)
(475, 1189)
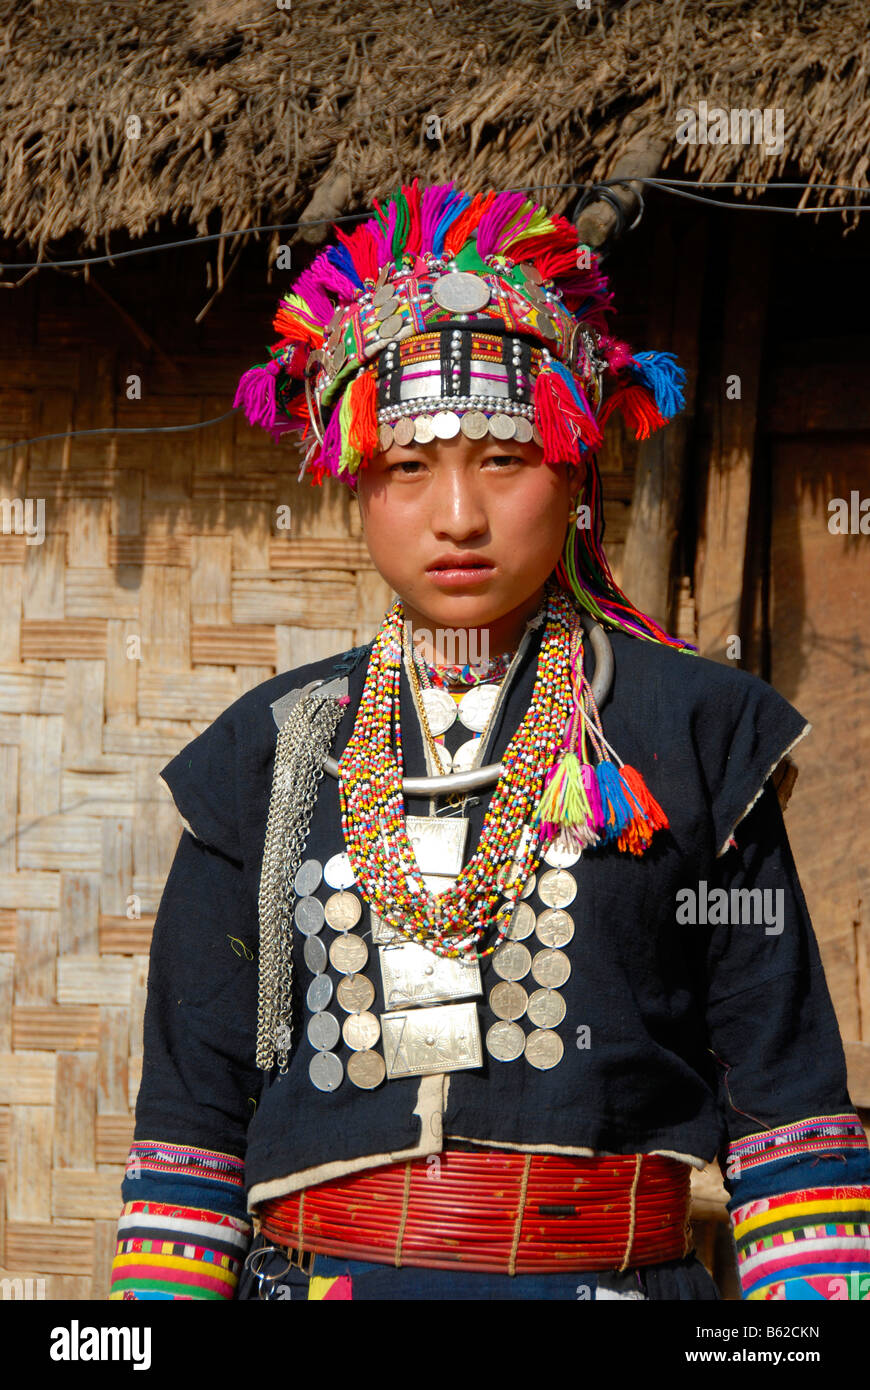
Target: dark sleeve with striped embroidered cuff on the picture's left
(184, 1231)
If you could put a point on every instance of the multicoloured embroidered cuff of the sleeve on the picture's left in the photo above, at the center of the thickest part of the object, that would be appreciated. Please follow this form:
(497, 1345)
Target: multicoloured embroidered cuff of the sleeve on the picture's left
(184, 1229)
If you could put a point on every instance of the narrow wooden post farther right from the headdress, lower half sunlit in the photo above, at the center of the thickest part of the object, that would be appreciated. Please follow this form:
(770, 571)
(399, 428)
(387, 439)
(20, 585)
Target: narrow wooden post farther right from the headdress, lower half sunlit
(722, 550)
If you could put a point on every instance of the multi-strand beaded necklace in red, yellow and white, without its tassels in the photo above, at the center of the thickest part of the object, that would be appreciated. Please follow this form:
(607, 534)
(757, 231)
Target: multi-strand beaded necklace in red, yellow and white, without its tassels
(373, 819)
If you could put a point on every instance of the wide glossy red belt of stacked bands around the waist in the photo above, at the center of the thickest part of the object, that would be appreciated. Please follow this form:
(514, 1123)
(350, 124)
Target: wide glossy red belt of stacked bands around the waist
(495, 1213)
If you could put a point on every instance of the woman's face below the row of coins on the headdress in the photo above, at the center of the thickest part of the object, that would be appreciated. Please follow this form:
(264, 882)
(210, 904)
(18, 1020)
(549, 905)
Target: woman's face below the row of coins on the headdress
(491, 508)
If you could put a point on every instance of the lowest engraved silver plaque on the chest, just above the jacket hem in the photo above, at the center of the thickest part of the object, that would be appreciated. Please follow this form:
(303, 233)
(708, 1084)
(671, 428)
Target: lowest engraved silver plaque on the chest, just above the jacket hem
(429, 1042)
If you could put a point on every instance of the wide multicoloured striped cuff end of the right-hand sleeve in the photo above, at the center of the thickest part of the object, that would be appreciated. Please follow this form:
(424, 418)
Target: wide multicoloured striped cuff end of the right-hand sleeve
(807, 1245)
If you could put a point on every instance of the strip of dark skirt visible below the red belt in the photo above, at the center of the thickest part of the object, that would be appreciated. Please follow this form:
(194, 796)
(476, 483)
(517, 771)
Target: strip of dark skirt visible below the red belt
(329, 1278)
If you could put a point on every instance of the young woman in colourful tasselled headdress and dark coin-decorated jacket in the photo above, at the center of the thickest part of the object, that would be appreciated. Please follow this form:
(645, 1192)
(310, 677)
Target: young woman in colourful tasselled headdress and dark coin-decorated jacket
(465, 964)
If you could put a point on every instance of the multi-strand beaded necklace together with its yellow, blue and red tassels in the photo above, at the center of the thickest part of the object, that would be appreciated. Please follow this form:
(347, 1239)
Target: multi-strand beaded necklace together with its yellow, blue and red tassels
(572, 800)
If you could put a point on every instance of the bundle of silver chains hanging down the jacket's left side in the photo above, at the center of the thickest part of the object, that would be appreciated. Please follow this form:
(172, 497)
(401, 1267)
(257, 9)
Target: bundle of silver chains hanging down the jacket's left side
(302, 746)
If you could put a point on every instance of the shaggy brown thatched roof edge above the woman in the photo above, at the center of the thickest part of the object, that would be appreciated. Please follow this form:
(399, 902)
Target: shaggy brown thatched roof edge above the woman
(247, 111)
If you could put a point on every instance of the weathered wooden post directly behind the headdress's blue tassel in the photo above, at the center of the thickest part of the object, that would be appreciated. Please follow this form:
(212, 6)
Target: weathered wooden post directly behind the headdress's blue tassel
(659, 483)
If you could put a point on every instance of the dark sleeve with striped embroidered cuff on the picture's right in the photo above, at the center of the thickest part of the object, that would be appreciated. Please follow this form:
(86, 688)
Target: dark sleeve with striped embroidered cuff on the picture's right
(797, 1163)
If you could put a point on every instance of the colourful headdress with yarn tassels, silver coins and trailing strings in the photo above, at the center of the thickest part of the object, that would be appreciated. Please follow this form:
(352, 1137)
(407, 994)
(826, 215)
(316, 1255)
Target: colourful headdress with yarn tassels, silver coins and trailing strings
(450, 313)
